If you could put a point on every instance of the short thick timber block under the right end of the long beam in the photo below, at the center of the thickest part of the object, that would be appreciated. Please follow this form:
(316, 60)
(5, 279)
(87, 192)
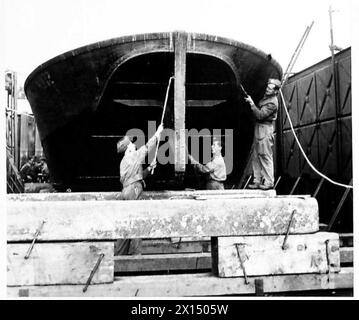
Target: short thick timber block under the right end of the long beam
(263, 255)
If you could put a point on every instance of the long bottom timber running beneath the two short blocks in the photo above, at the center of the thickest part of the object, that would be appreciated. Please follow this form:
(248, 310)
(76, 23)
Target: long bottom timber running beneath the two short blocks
(200, 284)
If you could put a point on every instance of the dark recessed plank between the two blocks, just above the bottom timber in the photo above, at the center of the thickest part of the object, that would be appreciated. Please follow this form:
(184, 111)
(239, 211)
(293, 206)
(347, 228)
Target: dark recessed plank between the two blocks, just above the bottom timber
(163, 262)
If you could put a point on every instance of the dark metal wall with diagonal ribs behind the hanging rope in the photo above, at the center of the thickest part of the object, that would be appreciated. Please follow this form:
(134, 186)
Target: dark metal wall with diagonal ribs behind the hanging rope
(324, 130)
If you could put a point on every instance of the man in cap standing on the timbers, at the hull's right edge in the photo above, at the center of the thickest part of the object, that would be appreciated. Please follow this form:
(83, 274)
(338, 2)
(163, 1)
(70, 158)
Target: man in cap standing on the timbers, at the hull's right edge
(265, 114)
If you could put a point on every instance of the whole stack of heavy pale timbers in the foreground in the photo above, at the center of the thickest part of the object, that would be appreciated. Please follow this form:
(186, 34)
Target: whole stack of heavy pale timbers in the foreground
(66, 247)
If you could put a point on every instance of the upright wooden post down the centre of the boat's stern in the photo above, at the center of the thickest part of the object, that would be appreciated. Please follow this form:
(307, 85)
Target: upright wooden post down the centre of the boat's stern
(180, 48)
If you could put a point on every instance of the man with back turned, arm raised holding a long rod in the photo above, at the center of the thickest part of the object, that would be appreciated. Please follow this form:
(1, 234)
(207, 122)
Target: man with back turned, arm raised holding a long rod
(132, 178)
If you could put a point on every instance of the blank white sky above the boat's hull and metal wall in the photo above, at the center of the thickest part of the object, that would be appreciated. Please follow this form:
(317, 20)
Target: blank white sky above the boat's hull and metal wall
(34, 31)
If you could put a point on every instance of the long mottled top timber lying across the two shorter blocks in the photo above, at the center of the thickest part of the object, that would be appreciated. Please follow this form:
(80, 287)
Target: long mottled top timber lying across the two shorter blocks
(89, 220)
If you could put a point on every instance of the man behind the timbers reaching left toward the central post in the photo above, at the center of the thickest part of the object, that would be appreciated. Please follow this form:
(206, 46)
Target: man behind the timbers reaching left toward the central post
(215, 170)
